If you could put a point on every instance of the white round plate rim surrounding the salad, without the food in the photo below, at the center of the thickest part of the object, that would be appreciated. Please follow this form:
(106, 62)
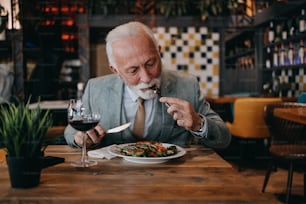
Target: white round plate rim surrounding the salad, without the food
(115, 150)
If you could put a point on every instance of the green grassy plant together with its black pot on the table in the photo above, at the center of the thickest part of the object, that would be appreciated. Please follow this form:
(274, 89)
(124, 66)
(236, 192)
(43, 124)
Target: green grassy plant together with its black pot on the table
(22, 134)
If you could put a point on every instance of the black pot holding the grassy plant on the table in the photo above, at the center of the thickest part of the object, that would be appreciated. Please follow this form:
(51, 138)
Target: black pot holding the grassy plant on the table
(24, 172)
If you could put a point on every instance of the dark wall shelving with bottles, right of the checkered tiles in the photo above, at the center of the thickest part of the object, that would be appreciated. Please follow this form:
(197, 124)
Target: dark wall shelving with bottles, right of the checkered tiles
(283, 15)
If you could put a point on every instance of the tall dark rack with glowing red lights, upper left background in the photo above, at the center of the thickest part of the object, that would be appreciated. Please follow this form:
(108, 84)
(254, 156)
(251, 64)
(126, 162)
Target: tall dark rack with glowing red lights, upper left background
(51, 37)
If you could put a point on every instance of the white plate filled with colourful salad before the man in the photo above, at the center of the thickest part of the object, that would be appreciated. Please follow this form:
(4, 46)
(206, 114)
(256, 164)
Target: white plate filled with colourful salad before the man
(147, 152)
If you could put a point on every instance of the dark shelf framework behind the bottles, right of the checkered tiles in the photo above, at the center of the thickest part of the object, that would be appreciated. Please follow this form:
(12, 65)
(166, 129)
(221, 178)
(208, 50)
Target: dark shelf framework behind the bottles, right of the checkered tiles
(257, 34)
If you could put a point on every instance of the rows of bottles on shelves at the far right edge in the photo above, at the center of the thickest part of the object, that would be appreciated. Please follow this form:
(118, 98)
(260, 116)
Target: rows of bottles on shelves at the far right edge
(284, 54)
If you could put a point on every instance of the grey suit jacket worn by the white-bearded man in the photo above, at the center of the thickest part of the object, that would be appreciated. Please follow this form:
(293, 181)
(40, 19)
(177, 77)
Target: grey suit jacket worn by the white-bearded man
(105, 94)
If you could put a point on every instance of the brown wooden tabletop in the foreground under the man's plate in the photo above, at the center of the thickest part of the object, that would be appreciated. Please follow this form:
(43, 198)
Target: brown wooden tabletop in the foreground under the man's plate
(201, 176)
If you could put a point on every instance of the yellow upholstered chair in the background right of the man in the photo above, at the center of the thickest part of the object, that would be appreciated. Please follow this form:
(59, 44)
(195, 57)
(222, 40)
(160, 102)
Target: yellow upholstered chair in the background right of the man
(248, 123)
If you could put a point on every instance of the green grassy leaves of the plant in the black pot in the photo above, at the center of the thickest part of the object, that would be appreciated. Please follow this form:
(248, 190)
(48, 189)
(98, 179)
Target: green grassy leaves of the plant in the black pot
(23, 130)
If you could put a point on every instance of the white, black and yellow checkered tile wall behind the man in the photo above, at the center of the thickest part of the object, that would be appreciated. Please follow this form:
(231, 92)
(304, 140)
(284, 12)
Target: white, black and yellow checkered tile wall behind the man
(193, 50)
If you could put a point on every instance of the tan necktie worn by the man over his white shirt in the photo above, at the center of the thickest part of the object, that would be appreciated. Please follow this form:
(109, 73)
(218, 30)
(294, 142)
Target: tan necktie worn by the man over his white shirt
(139, 119)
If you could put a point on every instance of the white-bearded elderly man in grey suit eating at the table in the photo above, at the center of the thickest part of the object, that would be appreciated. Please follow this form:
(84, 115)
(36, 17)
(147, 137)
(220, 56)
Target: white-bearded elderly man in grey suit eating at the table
(175, 115)
